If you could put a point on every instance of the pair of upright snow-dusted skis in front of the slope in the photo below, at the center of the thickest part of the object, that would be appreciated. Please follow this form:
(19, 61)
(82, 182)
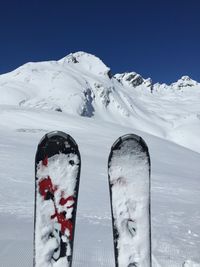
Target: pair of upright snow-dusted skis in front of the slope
(57, 170)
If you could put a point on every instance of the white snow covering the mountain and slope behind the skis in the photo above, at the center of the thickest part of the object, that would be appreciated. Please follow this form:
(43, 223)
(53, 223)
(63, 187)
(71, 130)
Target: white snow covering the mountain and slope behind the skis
(78, 96)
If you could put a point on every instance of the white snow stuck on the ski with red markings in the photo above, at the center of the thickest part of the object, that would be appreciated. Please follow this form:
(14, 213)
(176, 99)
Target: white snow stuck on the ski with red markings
(63, 176)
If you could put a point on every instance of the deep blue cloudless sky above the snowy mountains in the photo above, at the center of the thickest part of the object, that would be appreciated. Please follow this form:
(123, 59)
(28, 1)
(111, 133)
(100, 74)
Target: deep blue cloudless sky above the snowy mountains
(158, 39)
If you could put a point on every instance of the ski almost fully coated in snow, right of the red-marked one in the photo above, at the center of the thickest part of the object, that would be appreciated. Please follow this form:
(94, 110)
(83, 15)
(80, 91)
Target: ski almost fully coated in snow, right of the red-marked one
(129, 182)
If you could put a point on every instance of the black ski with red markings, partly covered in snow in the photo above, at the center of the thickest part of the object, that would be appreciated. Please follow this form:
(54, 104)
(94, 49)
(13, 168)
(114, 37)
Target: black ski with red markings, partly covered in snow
(57, 173)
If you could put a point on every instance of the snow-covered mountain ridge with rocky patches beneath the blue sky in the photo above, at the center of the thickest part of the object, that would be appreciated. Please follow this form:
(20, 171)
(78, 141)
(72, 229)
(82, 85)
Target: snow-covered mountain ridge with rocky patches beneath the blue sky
(81, 84)
